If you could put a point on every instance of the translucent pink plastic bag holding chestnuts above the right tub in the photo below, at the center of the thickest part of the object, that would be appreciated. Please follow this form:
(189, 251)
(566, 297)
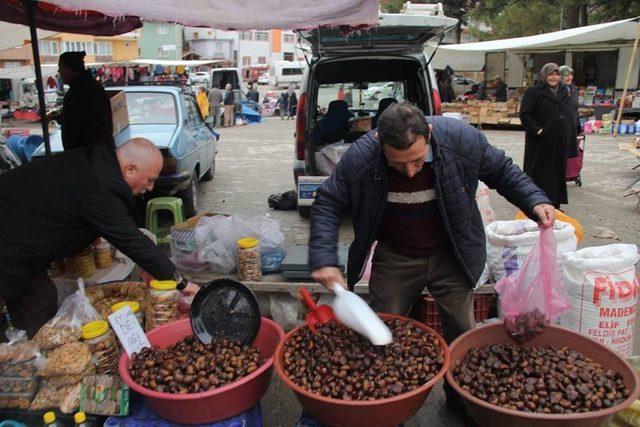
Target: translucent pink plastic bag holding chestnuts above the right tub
(534, 296)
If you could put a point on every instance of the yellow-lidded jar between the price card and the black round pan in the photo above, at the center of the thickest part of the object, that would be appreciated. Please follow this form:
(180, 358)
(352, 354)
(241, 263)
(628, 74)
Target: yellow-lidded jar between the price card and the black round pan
(162, 303)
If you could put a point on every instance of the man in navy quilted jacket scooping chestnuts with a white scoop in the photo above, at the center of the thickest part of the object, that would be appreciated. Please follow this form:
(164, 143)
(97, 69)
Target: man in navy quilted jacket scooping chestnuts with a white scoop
(411, 186)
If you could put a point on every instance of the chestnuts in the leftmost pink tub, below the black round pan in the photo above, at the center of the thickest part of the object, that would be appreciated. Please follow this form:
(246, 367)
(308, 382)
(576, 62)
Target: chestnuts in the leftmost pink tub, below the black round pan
(190, 366)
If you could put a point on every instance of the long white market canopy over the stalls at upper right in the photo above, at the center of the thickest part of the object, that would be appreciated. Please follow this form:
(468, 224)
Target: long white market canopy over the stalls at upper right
(471, 56)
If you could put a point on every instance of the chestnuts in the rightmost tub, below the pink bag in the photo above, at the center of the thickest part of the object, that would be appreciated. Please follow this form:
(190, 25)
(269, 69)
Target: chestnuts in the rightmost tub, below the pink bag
(545, 380)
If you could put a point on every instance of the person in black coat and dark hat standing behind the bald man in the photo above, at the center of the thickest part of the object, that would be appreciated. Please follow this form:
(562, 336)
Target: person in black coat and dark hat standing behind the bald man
(86, 110)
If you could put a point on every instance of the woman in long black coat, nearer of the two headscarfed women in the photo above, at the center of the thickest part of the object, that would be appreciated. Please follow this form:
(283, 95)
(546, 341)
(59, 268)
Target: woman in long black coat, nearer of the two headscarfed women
(545, 115)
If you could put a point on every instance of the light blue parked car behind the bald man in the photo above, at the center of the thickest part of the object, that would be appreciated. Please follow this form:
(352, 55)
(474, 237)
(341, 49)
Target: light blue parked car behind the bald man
(170, 119)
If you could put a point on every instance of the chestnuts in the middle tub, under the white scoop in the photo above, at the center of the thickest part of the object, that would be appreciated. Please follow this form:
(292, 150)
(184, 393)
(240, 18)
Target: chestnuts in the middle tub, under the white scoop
(339, 363)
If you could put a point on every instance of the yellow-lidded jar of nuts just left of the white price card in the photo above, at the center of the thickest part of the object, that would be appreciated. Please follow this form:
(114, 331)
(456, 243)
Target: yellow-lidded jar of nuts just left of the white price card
(103, 346)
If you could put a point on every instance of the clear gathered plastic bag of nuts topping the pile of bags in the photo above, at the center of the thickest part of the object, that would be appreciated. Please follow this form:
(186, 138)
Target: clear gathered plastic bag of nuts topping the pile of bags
(66, 326)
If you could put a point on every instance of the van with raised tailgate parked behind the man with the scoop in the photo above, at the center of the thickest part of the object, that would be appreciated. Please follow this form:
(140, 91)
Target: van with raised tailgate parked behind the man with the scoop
(389, 56)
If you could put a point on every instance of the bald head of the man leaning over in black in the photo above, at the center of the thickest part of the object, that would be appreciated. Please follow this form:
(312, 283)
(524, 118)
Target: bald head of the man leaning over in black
(140, 164)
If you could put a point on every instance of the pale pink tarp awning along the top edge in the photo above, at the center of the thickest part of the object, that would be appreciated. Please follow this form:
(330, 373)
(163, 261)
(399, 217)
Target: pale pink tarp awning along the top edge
(238, 14)
